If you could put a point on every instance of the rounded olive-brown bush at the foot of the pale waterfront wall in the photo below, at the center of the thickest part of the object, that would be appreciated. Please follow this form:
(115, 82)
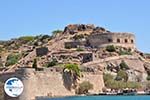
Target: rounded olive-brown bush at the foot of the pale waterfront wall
(84, 87)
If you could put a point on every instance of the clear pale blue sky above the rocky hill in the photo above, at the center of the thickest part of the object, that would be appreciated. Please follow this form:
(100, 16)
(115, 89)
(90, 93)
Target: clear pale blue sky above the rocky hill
(34, 17)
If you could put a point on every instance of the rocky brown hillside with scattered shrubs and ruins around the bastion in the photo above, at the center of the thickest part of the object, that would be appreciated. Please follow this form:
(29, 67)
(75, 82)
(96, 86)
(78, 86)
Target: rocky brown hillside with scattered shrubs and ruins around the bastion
(122, 64)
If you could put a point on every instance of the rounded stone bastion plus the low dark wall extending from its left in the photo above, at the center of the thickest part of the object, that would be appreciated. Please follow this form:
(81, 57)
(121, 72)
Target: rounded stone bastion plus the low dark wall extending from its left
(101, 39)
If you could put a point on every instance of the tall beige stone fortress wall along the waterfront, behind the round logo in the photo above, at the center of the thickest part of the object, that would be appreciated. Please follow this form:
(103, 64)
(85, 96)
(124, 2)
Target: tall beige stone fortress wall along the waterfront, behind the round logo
(47, 83)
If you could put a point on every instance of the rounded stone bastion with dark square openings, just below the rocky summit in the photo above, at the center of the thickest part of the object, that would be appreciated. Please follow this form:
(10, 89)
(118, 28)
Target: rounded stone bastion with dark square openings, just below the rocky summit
(119, 39)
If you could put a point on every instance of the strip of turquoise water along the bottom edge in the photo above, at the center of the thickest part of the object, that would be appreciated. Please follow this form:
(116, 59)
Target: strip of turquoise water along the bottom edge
(102, 98)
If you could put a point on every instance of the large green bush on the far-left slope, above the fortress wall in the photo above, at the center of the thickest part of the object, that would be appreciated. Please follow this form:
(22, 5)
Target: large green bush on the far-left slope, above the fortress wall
(12, 59)
